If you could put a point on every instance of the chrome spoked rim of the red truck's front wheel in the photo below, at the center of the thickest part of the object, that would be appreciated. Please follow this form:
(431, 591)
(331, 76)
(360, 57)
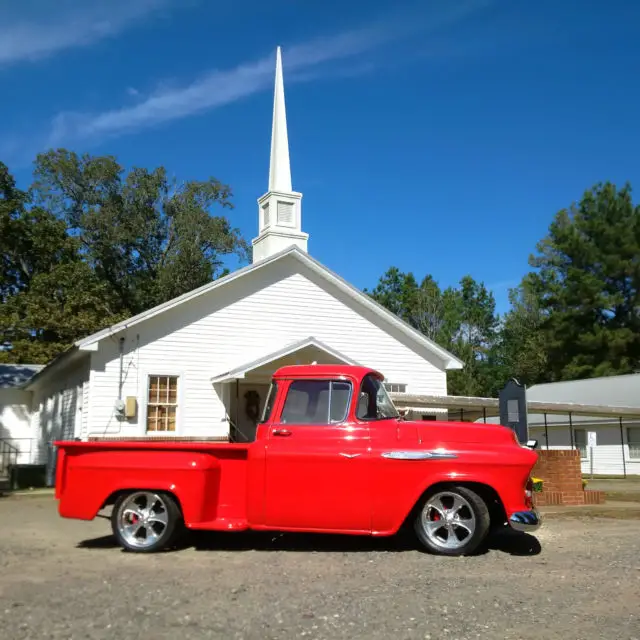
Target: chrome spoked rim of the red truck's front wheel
(448, 520)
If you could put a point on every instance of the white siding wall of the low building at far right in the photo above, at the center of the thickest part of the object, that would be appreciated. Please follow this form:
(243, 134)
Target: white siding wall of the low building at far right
(607, 456)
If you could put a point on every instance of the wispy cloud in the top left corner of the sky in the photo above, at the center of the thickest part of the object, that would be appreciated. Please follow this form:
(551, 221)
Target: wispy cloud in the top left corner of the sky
(64, 25)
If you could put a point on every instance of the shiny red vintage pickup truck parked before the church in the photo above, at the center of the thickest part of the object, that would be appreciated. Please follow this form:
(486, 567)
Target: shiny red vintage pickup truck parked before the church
(331, 455)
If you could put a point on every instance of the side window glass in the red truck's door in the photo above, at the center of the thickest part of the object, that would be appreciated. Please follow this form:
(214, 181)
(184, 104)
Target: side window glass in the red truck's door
(316, 402)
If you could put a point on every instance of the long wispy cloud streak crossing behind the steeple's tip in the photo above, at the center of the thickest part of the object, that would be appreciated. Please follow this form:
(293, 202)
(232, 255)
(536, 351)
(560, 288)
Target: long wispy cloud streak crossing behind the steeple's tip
(343, 54)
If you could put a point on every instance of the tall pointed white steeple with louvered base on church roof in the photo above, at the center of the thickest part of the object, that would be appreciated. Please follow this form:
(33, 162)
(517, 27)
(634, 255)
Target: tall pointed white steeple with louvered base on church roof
(280, 208)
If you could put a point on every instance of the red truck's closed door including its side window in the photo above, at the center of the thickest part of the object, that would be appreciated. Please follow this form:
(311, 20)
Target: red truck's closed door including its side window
(318, 464)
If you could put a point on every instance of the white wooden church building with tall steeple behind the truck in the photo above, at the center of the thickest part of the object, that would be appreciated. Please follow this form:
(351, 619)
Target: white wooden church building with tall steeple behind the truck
(191, 367)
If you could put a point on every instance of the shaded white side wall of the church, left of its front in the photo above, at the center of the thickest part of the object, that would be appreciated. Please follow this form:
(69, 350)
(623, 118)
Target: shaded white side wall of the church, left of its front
(58, 408)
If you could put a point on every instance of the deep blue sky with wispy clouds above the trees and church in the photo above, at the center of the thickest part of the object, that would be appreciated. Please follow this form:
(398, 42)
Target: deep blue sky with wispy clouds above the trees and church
(436, 136)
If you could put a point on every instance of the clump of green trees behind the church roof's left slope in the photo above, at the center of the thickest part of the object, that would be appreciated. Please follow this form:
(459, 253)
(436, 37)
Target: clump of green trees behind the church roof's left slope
(89, 245)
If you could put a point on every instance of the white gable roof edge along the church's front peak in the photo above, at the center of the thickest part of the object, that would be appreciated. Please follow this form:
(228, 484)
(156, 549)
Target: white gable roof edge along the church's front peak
(450, 361)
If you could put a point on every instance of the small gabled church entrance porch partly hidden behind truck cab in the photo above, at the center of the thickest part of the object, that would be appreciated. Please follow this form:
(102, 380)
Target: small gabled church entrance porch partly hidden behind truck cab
(244, 389)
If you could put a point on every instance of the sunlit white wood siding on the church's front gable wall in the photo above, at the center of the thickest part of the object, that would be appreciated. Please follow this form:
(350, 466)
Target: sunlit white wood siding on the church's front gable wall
(253, 316)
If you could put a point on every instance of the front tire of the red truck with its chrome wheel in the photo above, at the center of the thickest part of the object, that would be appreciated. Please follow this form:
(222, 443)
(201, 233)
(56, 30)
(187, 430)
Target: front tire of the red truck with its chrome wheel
(469, 521)
